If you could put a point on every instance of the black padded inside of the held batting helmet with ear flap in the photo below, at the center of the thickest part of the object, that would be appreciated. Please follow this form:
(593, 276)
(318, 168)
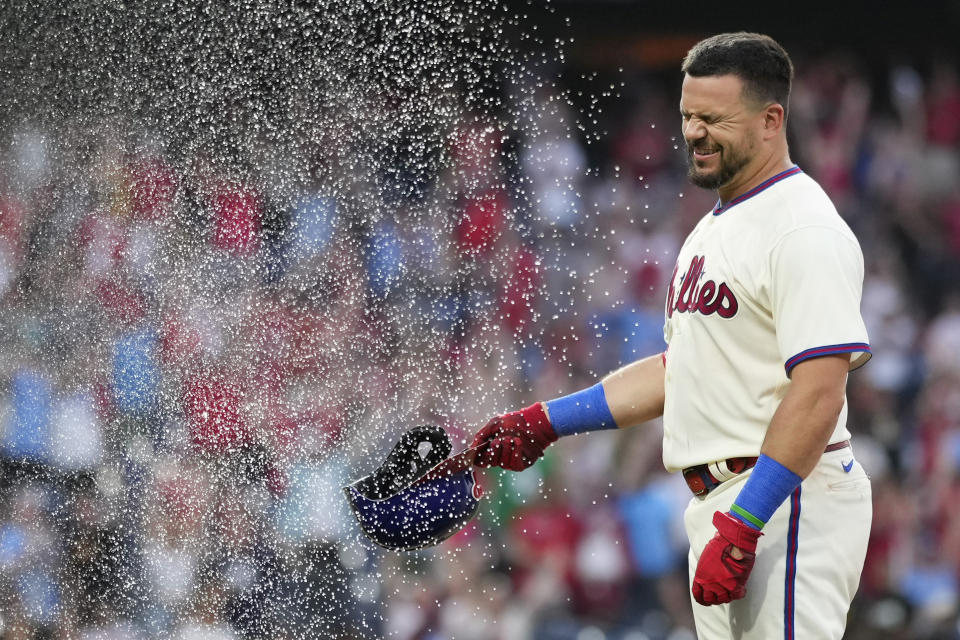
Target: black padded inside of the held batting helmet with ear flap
(418, 450)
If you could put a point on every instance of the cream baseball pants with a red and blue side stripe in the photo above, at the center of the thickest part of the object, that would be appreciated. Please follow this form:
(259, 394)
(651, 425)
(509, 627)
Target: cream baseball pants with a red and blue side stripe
(808, 561)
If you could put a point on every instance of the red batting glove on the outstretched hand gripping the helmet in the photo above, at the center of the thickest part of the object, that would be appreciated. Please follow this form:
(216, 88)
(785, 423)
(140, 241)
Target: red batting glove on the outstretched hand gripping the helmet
(515, 440)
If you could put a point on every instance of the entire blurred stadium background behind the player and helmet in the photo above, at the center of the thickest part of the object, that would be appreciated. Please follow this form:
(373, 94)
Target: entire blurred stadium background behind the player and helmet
(239, 258)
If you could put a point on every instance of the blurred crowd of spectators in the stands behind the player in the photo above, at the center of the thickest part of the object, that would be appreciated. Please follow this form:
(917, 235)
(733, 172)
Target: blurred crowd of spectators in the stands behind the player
(196, 356)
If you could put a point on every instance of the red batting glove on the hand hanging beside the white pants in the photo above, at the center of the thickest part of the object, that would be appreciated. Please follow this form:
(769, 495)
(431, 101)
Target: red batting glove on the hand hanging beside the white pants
(719, 577)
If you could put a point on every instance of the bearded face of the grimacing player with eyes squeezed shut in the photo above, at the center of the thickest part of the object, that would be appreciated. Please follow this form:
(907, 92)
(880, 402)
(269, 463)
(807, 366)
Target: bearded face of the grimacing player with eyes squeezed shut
(718, 127)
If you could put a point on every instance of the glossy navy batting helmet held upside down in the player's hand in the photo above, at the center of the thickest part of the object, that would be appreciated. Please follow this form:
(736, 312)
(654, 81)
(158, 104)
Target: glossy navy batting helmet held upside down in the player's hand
(418, 497)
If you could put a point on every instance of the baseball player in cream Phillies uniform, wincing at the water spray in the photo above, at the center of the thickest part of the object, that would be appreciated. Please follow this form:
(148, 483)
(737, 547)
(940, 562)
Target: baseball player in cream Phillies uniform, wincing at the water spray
(762, 325)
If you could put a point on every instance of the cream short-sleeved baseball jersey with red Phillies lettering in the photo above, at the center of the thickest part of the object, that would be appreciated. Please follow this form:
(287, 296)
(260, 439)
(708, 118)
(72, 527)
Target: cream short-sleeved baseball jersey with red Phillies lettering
(769, 279)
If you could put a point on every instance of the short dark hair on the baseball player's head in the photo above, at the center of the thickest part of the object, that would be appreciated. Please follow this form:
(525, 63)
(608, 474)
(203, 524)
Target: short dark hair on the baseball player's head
(762, 64)
